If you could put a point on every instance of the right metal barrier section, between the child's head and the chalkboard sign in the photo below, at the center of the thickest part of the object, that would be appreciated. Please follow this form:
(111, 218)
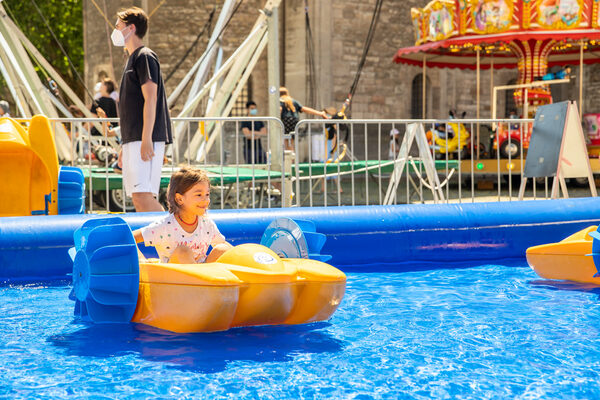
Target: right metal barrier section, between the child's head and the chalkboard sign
(361, 162)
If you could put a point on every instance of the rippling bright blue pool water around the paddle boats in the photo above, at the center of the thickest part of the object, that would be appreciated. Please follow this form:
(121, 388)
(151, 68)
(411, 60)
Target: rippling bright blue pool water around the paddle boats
(481, 332)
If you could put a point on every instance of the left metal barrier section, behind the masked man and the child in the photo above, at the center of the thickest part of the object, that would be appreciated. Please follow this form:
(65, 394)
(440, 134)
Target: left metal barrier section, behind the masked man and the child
(244, 173)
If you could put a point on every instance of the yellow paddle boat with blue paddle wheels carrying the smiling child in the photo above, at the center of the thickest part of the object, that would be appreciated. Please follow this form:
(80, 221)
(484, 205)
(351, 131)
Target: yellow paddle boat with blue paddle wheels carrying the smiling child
(248, 285)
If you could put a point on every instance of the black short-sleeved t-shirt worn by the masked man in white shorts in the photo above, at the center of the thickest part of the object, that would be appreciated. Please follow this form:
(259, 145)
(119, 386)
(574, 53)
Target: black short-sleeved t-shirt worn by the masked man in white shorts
(142, 66)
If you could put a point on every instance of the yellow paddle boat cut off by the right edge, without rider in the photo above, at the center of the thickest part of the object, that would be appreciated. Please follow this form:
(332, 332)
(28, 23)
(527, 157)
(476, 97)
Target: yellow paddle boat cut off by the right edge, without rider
(571, 259)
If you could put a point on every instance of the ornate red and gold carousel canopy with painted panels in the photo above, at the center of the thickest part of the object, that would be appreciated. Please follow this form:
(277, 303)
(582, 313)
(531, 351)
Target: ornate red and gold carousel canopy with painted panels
(449, 32)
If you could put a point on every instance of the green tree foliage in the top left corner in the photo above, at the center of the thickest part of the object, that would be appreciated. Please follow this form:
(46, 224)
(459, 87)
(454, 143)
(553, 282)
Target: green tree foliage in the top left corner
(65, 18)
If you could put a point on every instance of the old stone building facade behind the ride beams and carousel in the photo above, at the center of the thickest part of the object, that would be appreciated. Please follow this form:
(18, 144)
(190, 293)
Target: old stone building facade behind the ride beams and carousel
(339, 29)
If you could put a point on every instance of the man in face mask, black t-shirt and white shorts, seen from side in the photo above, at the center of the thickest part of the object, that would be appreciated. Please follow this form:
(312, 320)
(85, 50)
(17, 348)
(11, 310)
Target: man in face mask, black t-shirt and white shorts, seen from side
(143, 112)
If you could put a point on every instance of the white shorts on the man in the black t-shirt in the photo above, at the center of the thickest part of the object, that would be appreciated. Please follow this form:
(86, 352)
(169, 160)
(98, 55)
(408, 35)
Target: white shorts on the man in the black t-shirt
(142, 176)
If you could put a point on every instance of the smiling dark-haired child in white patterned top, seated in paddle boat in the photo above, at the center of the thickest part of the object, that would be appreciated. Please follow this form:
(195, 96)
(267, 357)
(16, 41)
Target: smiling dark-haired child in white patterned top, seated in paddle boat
(184, 235)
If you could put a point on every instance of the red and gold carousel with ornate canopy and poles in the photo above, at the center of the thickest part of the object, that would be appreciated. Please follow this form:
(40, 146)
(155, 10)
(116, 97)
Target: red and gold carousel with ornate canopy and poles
(530, 35)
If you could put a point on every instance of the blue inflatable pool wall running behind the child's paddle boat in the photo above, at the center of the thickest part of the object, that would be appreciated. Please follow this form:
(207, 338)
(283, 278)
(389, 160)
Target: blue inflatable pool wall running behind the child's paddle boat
(360, 236)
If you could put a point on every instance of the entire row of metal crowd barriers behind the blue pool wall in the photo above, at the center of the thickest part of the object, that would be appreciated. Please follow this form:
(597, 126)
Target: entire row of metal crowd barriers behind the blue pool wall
(334, 162)
